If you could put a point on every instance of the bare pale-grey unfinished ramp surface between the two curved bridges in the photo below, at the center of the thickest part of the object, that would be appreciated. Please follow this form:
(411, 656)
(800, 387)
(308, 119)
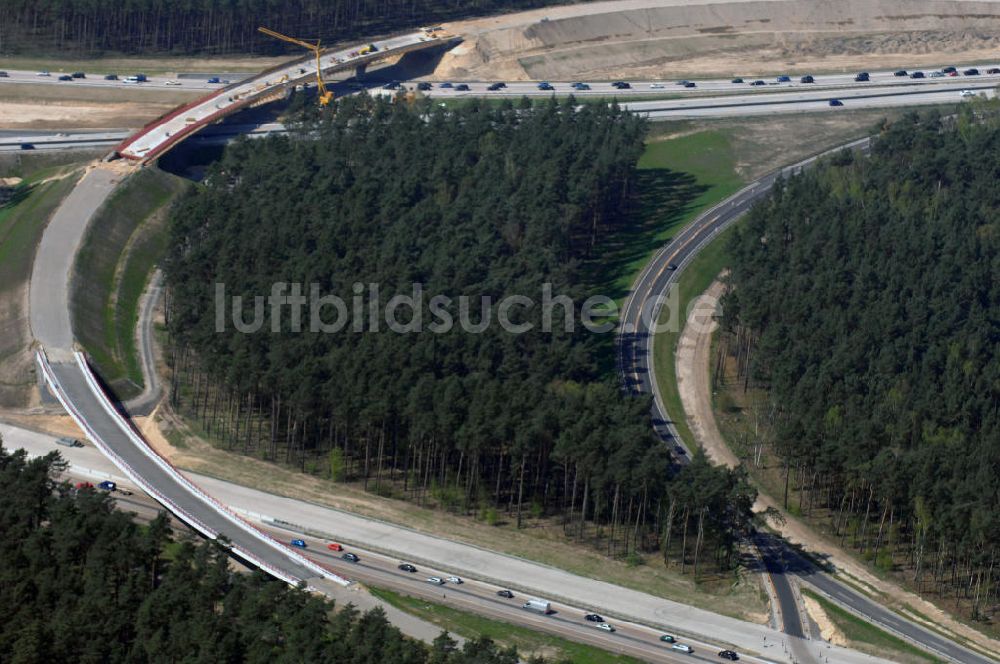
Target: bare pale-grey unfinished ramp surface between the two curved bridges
(49, 286)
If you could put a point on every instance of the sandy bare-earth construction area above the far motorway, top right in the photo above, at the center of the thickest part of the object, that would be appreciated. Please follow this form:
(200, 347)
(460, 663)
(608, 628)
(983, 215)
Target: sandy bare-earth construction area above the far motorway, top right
(675, 38)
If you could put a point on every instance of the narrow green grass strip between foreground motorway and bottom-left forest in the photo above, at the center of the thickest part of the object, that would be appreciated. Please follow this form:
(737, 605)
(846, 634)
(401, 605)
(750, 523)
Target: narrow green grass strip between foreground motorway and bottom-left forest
(528, 642)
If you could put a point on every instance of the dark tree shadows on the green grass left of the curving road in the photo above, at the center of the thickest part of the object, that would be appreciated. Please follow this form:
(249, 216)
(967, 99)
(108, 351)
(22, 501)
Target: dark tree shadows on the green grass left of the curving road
(664, 199)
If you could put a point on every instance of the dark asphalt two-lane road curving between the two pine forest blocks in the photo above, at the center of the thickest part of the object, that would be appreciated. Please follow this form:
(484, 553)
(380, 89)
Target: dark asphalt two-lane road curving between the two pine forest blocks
(641, 313)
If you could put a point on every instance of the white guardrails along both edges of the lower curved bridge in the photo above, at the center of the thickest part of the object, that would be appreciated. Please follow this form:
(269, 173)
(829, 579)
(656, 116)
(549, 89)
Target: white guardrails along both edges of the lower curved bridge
(144, 447)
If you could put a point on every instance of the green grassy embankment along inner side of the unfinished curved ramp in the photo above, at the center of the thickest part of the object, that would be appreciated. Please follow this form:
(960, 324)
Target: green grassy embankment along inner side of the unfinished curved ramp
(126, 239)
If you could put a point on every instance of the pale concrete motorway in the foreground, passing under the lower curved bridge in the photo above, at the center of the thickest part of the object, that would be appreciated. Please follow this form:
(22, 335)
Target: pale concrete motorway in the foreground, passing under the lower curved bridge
(634, 614)
